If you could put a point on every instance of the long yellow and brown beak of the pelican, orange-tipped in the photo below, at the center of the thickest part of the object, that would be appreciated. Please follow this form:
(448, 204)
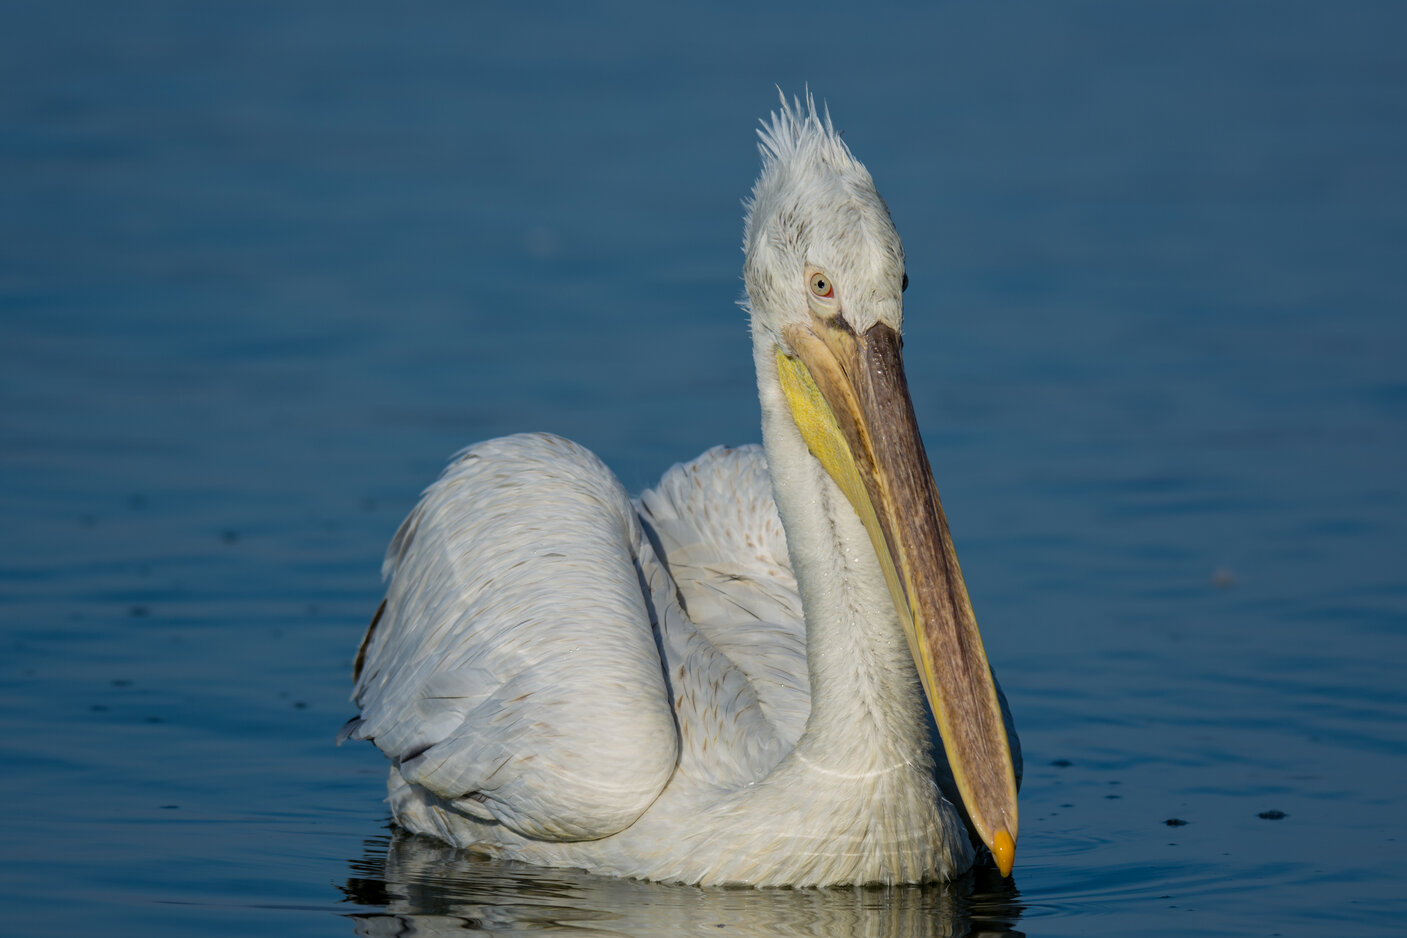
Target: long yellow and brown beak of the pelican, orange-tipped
(851, 400)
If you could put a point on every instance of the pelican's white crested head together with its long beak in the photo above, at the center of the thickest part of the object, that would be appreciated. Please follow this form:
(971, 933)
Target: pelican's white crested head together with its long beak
(825, 278)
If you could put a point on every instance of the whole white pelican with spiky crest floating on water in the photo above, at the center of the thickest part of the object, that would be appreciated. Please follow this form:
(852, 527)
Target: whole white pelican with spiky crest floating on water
(731, 679)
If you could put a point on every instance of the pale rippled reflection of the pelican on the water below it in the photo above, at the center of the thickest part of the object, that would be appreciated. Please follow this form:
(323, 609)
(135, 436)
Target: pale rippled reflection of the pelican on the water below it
(414, 885)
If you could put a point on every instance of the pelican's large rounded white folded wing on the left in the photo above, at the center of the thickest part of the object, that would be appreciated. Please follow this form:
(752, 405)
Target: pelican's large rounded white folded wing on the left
(514, 672)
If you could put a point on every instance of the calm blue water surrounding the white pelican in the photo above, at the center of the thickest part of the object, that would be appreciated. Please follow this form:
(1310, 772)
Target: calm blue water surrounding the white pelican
(265, 266)
